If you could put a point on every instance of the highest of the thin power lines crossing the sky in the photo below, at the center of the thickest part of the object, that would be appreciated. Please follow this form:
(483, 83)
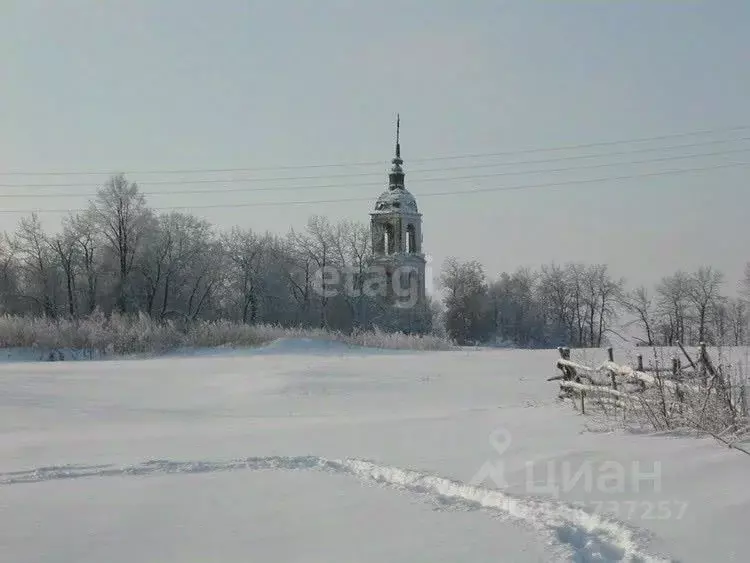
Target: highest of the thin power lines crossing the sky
(379, 162)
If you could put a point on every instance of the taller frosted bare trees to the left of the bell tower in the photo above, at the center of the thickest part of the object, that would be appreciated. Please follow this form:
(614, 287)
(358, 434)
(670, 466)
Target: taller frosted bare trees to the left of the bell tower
(120, 256)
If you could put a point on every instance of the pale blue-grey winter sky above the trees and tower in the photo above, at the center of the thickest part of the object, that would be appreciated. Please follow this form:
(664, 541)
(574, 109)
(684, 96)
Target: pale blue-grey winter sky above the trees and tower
(135, 86)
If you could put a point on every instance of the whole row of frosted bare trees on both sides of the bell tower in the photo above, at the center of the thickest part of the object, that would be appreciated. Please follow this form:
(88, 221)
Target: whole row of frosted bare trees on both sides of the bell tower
(120, 256)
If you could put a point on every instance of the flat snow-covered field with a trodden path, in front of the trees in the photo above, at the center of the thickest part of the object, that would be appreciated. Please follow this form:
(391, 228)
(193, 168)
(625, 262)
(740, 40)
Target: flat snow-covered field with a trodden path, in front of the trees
(315, 452)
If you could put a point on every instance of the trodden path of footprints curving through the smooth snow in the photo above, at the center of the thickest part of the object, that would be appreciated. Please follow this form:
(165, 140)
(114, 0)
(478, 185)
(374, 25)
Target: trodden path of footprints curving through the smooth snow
(590, 537)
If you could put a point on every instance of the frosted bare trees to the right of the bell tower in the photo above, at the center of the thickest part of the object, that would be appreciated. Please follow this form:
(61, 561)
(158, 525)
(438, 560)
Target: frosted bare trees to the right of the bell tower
(582, 305)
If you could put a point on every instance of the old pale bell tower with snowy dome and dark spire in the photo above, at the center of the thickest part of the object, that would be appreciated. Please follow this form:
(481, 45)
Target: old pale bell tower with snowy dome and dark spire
(396, 229)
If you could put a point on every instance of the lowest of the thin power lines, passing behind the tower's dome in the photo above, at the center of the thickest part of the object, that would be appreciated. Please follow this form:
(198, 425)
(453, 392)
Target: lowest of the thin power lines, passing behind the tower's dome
(428, 194)
